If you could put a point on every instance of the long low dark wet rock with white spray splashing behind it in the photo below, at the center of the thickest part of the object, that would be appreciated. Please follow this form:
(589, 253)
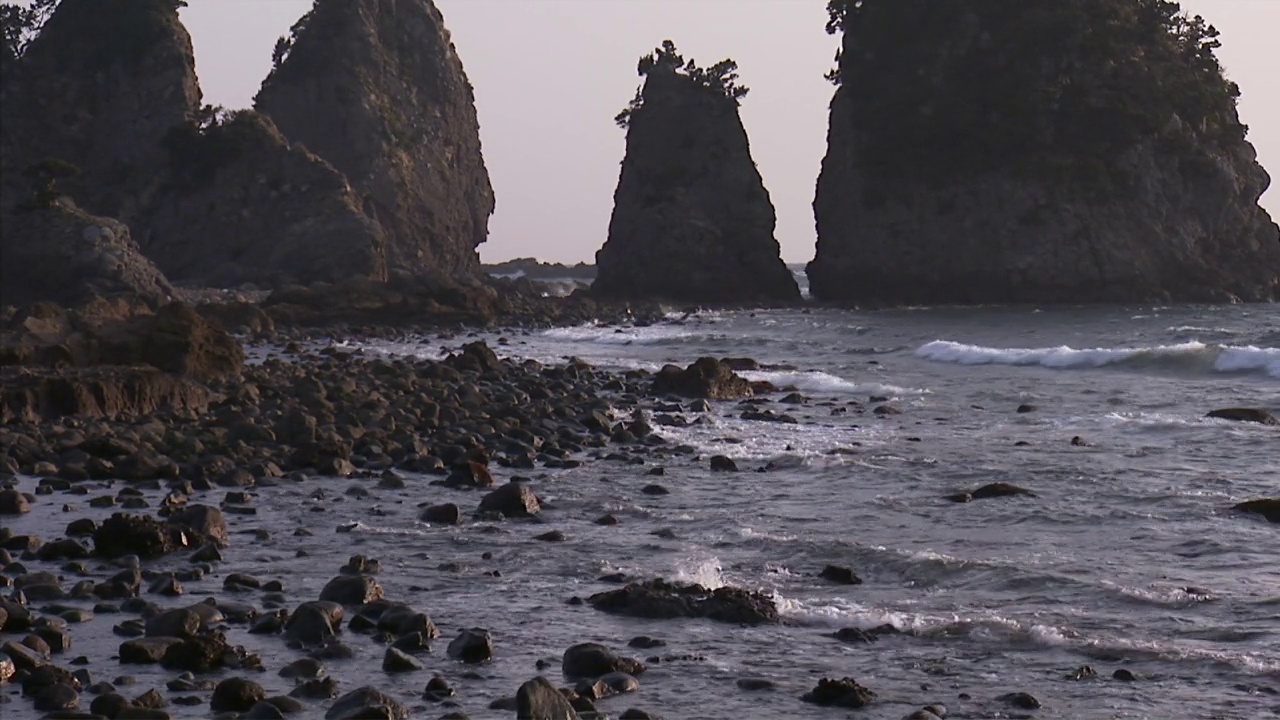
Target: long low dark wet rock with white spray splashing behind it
(662, 599)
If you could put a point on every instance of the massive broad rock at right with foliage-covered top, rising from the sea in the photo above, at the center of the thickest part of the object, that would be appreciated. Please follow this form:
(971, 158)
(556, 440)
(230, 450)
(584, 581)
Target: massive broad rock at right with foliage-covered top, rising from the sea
(1036, 152)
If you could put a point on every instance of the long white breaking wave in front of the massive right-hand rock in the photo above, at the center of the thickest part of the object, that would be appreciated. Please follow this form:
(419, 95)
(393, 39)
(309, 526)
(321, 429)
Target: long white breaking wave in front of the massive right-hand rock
(1195, 357)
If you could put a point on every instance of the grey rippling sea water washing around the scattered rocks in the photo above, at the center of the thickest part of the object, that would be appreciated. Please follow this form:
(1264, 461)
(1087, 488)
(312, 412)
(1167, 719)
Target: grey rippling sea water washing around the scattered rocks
(1124, 558)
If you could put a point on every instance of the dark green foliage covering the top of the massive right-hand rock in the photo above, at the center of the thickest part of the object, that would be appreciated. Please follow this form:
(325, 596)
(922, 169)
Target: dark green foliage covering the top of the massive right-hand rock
(964, 85)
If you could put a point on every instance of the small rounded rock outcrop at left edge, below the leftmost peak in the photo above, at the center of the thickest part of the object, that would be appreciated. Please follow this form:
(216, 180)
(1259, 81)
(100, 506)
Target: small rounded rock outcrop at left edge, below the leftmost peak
(62, 254)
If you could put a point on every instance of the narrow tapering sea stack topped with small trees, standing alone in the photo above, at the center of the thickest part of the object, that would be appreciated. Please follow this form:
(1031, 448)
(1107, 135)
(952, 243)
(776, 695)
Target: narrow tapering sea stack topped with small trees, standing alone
(692, 220)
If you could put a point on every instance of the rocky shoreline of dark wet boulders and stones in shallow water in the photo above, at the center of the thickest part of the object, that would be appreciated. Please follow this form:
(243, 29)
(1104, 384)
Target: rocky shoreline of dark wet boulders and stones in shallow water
(156, 500)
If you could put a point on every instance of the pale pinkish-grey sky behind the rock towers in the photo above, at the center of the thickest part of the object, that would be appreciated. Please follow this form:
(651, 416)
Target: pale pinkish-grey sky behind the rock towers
(551, 75)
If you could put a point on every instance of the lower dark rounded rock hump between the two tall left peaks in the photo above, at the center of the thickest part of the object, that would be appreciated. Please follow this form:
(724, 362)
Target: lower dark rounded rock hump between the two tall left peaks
(240, 204)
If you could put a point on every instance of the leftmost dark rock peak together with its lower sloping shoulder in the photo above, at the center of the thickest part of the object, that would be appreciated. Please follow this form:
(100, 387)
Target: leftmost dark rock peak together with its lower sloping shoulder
(109, 88)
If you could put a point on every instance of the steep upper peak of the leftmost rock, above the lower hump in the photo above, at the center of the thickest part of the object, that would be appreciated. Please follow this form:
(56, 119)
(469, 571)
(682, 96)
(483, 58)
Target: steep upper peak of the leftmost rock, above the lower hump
(98, 89)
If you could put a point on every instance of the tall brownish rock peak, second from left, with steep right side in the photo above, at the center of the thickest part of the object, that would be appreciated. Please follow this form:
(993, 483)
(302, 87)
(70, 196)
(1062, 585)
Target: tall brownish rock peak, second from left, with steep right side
(377, 89)
